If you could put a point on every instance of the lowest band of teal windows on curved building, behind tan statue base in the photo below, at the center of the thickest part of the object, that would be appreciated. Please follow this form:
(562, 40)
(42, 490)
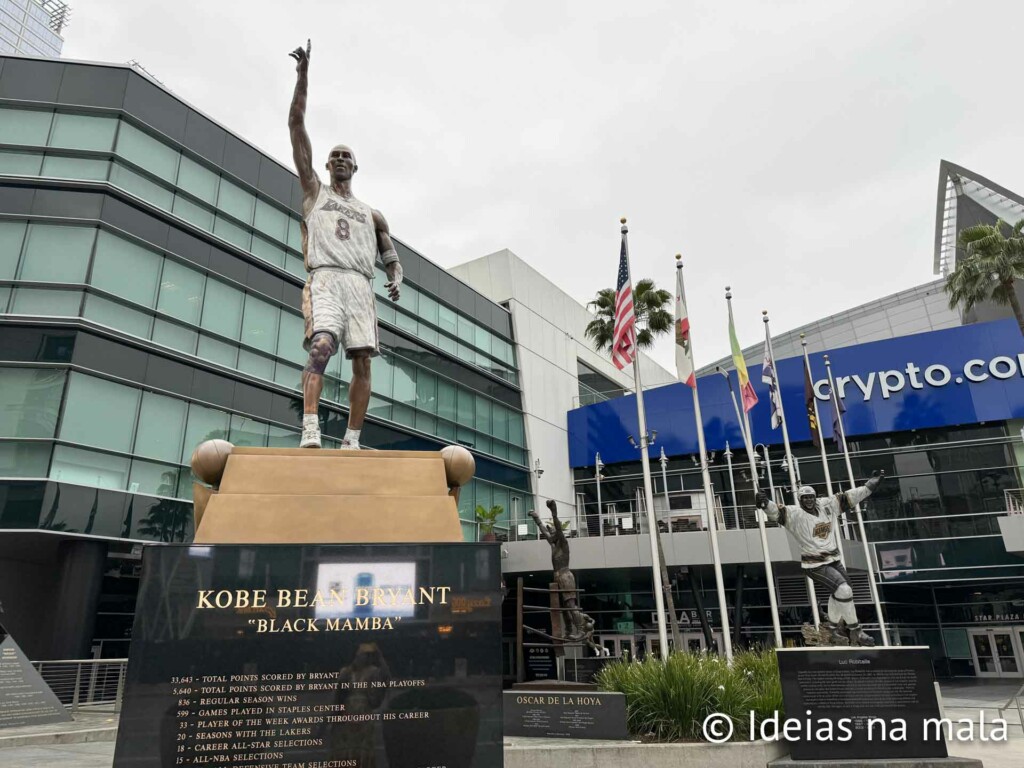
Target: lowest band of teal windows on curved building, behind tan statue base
(81, 430)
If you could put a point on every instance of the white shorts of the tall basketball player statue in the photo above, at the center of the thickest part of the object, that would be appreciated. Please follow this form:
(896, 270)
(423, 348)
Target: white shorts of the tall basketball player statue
(342, 304)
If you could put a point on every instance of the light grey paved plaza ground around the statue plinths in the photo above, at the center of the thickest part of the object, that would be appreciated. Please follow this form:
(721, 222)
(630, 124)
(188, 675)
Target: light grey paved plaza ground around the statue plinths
(966, 699)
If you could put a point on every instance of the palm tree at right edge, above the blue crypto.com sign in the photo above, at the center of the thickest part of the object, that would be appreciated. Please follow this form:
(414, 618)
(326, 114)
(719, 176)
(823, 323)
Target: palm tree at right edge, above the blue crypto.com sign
(991, 265)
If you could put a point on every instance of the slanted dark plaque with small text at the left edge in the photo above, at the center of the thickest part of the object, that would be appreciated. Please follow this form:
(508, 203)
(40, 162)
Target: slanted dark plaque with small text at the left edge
(25, 697)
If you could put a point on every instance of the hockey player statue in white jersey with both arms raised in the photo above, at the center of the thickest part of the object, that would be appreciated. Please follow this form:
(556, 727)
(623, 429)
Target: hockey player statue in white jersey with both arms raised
(816, 527)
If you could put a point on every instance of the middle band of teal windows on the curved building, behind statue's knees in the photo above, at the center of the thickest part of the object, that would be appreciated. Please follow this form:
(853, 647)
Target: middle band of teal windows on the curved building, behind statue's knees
(117, 283)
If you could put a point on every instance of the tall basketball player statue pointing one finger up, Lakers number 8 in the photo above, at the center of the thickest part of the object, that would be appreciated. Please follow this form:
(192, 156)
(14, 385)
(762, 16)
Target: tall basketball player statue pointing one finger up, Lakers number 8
(342, 239)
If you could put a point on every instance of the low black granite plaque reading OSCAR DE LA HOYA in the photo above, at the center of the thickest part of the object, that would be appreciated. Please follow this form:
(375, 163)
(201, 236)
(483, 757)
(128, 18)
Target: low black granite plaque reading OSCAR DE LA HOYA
(566, 715)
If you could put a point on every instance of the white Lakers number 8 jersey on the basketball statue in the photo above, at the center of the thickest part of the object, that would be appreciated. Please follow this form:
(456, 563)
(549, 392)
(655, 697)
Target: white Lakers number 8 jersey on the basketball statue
(340, 234)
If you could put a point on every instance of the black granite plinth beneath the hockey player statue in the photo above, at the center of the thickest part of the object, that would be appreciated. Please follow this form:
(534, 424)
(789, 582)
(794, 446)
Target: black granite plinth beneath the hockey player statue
(856, 704)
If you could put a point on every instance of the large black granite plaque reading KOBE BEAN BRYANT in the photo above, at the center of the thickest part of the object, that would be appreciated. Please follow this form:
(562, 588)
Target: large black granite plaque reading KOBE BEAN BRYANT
(333, 657)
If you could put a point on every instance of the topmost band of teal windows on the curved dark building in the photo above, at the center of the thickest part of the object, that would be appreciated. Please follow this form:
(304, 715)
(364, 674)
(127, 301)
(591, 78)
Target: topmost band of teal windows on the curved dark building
(102, 148)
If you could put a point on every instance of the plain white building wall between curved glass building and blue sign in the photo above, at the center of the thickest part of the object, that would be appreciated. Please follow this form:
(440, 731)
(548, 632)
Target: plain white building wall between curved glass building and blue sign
(549, 328)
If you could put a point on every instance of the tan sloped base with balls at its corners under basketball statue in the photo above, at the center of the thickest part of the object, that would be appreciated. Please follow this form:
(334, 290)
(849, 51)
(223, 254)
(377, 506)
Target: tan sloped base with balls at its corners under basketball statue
(296, 496)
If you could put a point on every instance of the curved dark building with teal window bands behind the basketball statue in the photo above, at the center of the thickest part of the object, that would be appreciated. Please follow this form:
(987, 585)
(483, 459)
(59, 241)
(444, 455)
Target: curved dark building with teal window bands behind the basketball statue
(151, 275)
